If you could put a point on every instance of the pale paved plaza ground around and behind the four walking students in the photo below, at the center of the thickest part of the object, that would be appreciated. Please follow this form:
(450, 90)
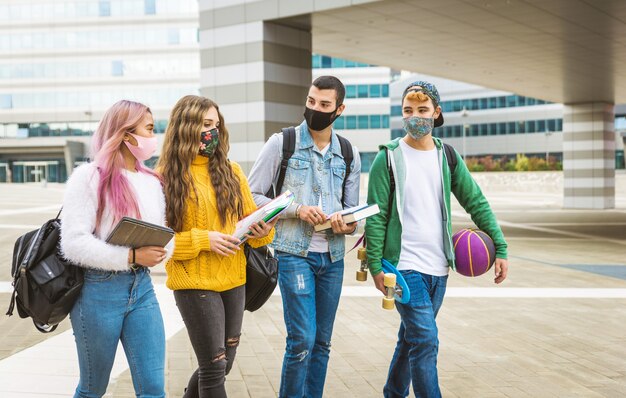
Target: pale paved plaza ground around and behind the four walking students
(555, 328)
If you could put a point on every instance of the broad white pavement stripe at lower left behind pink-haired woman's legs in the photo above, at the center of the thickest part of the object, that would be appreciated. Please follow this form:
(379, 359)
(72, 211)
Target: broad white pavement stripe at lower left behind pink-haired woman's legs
(50, 368)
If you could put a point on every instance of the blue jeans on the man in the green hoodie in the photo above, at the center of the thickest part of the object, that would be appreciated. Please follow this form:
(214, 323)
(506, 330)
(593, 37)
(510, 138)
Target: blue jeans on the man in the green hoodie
(415, 358)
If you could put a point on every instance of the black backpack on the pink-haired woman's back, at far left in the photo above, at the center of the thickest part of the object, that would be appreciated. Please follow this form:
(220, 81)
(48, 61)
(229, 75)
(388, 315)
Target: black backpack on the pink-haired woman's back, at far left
(45, 285)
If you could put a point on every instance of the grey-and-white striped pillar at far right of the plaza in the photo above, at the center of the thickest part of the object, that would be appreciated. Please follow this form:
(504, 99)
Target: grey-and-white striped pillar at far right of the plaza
(589, 156)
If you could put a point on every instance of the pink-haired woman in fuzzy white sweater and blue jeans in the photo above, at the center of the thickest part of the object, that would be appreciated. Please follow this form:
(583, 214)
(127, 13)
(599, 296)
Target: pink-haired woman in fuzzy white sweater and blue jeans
(117, 302)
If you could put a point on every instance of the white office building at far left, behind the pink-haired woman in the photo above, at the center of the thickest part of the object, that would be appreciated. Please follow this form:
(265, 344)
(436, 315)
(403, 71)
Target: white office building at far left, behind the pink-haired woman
(63, 63)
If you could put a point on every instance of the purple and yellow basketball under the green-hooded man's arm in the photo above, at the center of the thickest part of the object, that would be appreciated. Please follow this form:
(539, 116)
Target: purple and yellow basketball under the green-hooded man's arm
(475, 252)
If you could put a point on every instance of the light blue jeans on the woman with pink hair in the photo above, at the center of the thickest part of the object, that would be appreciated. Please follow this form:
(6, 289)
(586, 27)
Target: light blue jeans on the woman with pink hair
(115, 306)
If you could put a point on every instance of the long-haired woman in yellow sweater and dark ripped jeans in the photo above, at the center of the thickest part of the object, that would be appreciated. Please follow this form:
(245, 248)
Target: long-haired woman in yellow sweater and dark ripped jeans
(206, 194)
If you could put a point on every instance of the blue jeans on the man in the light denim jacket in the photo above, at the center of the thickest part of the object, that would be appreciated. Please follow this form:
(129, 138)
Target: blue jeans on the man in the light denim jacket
(310, 288)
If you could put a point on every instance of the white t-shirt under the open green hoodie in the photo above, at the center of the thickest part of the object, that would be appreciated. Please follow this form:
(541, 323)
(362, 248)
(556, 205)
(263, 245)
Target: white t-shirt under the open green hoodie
(422, 219)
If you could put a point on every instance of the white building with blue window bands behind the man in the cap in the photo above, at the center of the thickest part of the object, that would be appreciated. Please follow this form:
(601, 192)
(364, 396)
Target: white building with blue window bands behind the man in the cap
(480, 121)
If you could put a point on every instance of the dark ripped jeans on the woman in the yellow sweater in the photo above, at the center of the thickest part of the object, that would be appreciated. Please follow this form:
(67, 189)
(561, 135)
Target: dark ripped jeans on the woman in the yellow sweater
(213, 321)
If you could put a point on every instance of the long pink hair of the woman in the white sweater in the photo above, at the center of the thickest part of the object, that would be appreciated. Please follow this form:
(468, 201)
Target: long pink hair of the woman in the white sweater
(114, 189)
